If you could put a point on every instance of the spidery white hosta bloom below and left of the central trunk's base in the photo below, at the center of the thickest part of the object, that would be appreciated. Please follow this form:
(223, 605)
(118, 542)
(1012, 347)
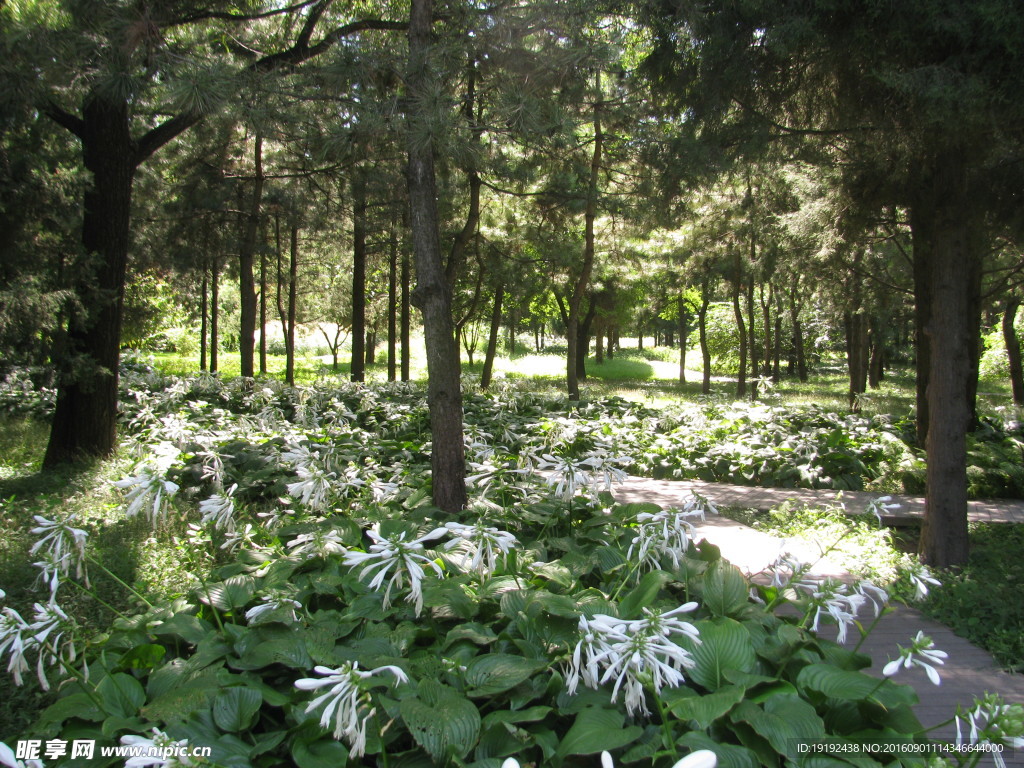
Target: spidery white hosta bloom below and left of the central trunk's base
(405, 559)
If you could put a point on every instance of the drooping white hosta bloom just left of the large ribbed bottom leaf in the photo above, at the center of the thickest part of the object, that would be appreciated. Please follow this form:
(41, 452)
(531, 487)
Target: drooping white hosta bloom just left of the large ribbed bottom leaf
(347, 705)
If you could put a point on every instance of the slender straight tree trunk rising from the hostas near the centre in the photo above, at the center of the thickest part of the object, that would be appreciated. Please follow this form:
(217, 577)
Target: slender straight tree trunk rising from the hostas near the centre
(433, 294)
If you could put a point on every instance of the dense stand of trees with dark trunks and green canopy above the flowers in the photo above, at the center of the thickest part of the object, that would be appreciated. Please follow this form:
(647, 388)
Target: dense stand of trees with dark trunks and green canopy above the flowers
(755, 177)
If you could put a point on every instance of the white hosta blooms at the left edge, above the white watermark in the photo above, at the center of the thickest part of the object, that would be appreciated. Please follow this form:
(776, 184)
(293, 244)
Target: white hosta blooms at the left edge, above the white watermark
(46, 636)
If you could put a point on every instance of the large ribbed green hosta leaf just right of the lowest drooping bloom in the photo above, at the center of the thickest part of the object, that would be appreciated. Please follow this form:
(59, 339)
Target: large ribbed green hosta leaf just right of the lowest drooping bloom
(443, 721)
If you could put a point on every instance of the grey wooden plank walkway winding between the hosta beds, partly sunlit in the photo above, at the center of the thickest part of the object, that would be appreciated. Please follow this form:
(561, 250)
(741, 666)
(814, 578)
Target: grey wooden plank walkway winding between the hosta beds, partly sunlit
(969, 671)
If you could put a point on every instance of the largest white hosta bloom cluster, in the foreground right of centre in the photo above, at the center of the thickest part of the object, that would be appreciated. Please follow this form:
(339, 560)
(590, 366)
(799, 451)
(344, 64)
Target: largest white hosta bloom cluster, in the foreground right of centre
(631, 654)
